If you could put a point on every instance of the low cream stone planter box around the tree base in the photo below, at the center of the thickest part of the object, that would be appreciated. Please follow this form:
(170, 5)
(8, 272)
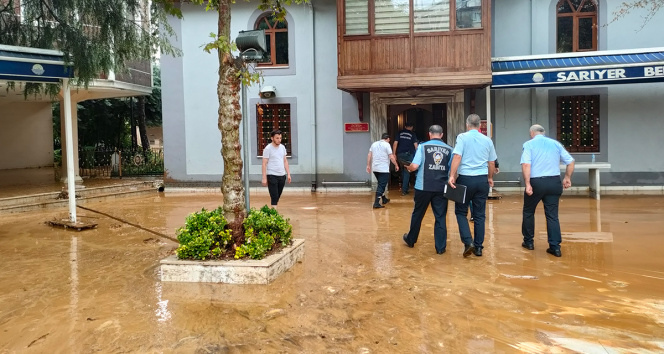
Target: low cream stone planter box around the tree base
(250, 271)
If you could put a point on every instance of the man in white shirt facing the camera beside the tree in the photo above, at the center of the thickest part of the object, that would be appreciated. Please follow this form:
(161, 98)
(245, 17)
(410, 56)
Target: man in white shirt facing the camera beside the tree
(275, 167)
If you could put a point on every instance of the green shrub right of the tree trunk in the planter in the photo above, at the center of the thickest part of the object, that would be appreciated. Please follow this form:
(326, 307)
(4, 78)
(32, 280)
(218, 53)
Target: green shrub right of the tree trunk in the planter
(263, 228)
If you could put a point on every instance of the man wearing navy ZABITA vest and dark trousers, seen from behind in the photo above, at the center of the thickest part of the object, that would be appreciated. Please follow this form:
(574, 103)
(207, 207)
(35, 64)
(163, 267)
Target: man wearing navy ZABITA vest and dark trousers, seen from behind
(432, 162)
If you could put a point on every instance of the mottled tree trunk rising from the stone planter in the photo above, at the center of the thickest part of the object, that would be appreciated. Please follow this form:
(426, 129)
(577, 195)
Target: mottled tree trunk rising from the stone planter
(230, 116)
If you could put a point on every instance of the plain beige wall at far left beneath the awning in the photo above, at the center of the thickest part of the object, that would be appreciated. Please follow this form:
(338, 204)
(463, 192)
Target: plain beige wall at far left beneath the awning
(26, 135)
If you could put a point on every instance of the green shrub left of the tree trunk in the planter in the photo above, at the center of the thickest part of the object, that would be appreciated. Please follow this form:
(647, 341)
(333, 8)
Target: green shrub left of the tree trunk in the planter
(204, 235)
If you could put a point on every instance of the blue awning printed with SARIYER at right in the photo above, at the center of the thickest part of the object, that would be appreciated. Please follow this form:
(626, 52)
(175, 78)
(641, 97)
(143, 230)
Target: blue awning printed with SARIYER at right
(574, 69)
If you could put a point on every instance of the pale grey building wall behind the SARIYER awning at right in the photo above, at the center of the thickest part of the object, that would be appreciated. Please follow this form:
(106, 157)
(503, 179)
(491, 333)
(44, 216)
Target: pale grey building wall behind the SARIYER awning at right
(631, 119)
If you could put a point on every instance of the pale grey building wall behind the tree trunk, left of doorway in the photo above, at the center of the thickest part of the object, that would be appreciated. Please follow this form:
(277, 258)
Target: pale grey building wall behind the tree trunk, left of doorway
(192, 140)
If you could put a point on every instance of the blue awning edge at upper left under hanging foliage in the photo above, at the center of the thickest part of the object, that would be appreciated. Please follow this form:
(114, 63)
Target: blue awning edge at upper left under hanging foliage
(32, 65)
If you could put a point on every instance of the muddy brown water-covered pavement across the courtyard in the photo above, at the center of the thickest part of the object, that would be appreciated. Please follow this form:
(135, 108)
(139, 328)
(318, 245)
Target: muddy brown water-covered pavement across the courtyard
(358, 290)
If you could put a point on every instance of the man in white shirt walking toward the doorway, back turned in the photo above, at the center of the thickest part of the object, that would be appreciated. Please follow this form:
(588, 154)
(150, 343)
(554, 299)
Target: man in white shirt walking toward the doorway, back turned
(378, 161)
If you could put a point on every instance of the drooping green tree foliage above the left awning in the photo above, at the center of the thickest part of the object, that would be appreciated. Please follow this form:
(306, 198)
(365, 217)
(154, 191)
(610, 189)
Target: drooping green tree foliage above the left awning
(95, 35)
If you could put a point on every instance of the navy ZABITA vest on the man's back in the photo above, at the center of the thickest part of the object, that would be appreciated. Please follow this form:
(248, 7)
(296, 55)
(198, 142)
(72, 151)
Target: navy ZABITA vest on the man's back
(436, 166)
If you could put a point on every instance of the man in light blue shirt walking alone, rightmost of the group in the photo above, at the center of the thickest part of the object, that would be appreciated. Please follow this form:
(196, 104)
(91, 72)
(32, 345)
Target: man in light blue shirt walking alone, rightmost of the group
(540, 164)
